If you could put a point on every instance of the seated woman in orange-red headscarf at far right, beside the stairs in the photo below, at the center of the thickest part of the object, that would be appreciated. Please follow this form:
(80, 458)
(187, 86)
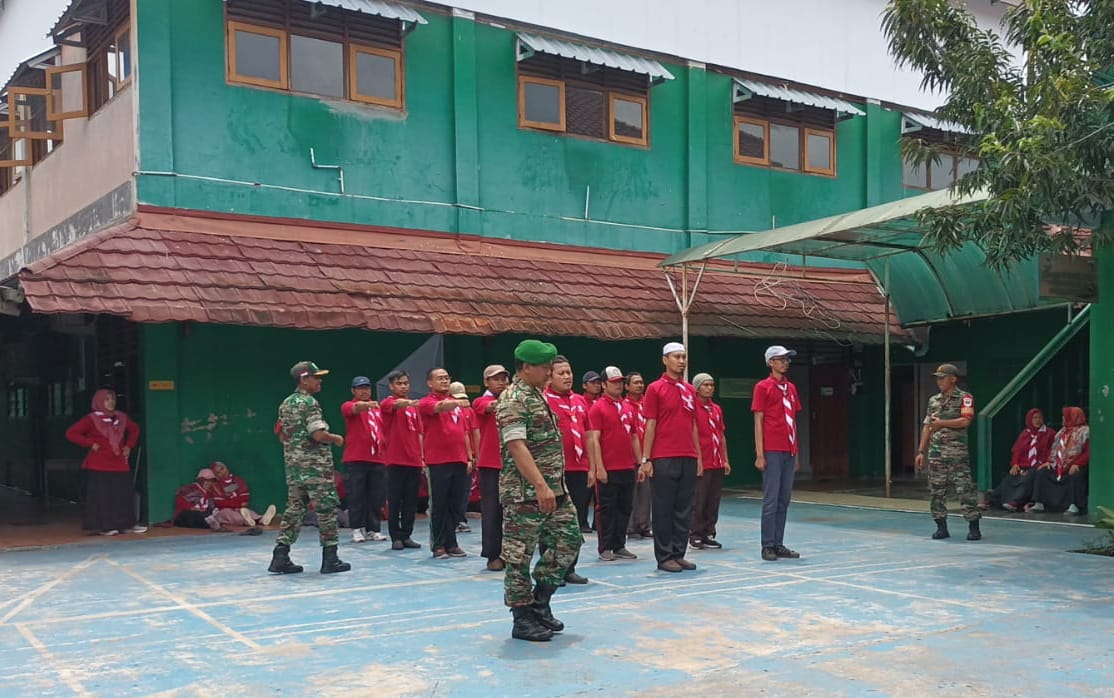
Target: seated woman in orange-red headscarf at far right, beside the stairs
(1062, 483)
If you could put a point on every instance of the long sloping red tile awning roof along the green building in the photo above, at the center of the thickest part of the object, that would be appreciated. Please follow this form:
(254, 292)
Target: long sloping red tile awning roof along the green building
(163, 268)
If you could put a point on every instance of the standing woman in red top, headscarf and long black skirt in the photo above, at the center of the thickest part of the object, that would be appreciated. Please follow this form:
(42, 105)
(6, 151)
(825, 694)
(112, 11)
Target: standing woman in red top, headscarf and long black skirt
(110, 436)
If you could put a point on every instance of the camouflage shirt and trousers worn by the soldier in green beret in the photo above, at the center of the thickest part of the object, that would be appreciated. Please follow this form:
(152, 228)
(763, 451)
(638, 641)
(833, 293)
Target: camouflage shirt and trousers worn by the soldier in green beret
(523, 414)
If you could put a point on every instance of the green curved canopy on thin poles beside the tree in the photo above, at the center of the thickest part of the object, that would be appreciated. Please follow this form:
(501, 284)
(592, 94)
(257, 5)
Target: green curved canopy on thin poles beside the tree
(926, 287)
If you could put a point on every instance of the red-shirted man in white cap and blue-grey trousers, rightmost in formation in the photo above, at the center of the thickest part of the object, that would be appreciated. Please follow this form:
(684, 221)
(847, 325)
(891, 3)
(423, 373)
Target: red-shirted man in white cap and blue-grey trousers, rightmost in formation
(776, 405)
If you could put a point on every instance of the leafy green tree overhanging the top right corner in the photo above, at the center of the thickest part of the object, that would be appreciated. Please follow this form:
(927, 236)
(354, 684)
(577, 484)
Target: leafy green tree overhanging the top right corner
(1038, 99)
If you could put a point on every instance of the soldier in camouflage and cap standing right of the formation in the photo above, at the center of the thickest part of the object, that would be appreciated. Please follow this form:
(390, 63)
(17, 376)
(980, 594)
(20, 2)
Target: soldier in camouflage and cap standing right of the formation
(944, 438)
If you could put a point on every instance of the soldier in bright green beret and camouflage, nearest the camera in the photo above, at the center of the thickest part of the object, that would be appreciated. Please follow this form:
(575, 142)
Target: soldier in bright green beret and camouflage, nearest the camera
(532, 490)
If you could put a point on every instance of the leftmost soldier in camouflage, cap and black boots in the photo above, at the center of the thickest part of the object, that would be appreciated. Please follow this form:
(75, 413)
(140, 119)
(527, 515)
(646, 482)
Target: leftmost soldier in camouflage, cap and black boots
(309, 458)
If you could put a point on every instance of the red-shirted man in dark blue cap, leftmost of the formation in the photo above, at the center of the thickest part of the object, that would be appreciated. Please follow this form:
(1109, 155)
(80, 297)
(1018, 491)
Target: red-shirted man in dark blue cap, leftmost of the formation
(364, 463)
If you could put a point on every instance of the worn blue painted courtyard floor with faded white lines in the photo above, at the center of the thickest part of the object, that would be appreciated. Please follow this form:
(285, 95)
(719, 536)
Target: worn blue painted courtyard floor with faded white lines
(873, 608)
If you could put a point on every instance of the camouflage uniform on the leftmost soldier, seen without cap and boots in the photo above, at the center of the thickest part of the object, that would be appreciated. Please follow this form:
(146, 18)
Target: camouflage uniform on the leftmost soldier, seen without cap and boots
(309, 470)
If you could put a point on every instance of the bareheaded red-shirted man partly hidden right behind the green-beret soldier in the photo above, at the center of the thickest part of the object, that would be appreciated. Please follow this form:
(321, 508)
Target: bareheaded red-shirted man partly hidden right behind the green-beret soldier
(572, 414)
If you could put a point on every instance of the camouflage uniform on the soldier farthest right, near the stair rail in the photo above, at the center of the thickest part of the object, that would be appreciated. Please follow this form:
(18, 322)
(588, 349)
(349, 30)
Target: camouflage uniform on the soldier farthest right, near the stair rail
(949, 461)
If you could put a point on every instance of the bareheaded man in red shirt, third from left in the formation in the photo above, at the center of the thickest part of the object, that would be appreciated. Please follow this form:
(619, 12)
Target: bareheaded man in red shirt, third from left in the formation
(448, 453)
